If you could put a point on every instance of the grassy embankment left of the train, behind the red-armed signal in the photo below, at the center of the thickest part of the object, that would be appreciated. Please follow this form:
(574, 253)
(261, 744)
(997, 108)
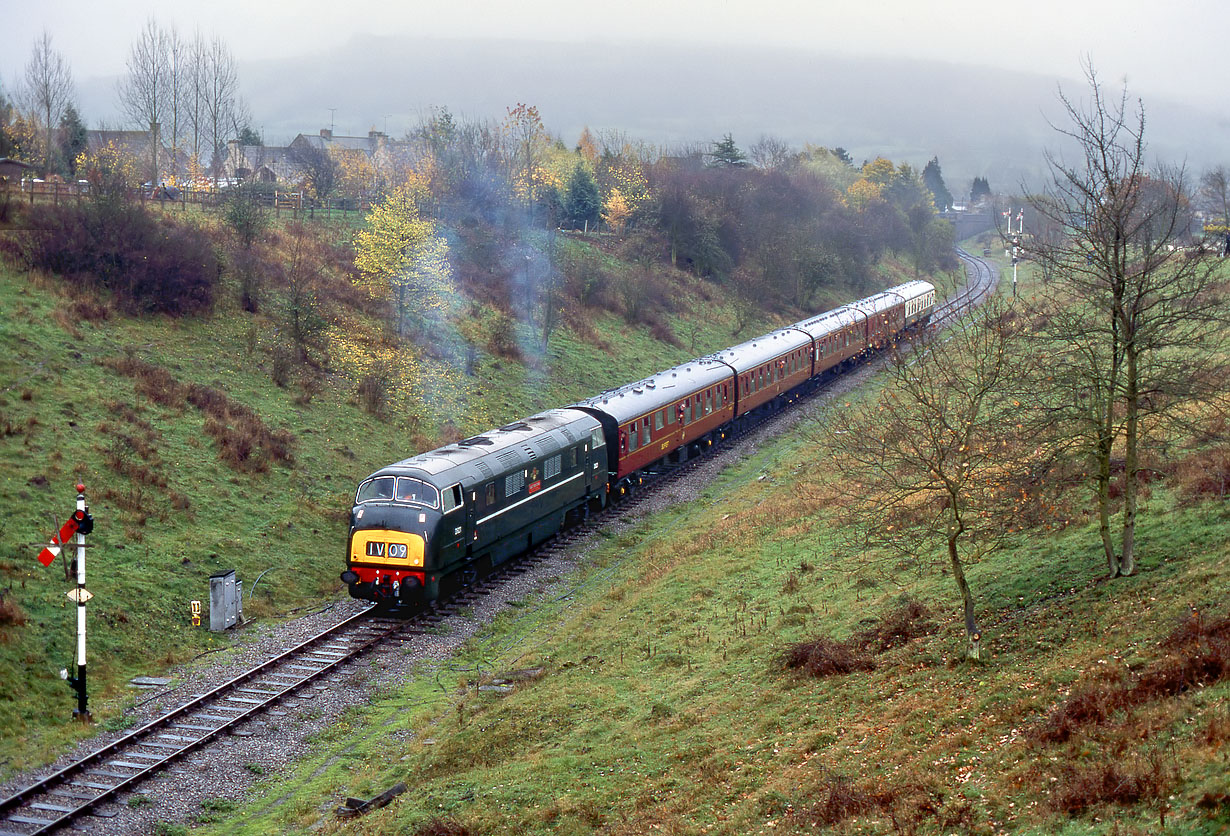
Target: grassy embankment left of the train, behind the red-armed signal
(147, 411)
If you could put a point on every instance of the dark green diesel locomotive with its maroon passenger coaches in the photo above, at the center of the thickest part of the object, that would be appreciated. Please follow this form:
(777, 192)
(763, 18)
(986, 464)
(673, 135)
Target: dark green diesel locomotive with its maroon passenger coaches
(427, 526)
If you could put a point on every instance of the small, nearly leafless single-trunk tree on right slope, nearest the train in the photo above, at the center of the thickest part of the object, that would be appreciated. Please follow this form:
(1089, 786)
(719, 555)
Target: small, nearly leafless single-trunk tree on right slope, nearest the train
(929, 462)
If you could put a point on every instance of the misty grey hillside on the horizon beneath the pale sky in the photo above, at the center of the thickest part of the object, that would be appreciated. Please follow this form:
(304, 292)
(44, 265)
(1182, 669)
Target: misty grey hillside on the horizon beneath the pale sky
(980, 121)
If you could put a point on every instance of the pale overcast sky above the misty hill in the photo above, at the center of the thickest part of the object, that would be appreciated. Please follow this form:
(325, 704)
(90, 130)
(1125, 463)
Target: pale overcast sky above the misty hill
(1174, 50)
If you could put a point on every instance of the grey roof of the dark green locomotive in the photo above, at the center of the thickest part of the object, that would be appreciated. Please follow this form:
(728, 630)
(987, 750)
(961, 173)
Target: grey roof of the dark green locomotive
(504, 449)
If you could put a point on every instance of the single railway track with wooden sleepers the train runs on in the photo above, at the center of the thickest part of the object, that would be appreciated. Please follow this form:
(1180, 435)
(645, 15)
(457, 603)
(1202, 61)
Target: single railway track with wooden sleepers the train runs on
(78, 790)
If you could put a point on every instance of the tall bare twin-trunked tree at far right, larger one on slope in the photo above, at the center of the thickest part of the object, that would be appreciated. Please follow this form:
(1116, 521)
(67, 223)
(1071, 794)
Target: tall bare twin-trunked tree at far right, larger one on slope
(1133, 308)
